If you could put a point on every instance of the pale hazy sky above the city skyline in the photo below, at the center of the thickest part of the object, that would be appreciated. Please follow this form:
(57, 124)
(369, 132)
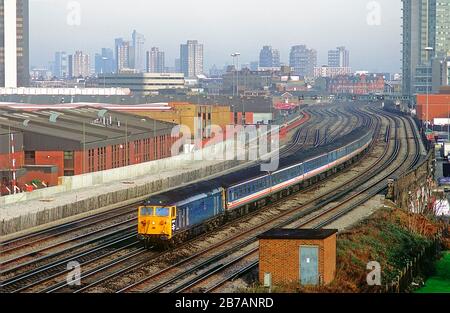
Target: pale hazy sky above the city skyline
(223, 26)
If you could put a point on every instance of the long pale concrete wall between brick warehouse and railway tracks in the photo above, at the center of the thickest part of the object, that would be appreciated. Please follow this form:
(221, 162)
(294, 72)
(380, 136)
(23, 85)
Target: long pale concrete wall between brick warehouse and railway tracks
(182, 172)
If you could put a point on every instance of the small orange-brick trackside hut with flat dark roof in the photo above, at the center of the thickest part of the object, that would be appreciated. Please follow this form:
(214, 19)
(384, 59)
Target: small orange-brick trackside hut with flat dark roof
(293, 256)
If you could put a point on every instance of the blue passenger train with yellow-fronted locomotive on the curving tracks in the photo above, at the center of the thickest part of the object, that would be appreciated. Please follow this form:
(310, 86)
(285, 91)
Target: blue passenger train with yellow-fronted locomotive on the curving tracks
(180, 214)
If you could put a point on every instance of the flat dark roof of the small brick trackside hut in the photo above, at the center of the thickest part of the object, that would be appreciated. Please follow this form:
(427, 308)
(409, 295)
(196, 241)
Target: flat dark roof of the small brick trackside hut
(285, 233)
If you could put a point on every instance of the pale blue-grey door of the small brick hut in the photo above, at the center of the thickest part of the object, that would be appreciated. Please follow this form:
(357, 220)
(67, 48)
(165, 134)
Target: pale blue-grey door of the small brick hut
(309, 265)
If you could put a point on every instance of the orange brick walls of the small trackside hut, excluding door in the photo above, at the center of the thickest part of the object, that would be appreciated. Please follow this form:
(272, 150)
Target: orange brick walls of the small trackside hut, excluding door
(281, 258)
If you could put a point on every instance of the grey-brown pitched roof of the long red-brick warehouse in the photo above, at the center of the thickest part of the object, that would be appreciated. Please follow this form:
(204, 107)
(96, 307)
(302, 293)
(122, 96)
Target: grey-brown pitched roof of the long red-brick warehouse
(93, 127)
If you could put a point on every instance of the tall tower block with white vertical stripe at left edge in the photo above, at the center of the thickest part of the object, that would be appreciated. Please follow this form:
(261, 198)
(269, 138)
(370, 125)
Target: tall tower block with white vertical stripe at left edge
(14, 43)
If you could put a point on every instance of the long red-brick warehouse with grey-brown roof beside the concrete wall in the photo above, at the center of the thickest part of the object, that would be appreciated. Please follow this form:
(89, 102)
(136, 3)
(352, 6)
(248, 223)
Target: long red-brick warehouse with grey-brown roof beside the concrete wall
(77, 141)
